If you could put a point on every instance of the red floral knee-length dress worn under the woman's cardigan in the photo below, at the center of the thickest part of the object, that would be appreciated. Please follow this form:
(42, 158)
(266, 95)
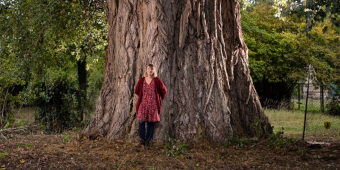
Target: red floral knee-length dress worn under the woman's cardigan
(148, 110)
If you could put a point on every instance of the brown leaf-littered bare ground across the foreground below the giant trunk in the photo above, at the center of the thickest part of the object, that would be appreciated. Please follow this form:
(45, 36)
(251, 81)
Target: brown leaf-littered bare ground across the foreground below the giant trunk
(73, 151)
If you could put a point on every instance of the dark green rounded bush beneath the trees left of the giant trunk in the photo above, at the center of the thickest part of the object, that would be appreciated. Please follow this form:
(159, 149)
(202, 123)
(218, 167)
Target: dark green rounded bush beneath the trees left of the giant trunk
(55, 97)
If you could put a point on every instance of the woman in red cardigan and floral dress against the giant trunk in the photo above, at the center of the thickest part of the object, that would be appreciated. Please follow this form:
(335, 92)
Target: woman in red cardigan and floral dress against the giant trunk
(151, 91)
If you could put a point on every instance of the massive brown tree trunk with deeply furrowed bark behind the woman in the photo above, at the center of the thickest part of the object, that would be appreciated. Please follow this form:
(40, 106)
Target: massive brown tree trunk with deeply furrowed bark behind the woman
(198, 48)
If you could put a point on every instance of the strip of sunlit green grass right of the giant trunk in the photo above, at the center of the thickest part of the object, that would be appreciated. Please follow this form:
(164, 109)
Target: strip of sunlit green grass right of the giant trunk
(292, 122)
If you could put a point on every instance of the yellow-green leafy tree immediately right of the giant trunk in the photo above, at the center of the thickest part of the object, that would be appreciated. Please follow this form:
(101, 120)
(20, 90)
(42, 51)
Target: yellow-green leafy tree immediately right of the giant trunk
(276, 56)
